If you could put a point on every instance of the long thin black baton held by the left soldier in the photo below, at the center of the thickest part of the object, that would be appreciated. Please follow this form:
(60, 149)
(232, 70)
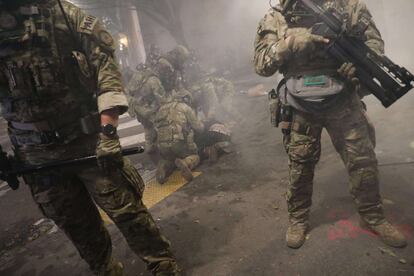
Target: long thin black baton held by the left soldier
(9, 169)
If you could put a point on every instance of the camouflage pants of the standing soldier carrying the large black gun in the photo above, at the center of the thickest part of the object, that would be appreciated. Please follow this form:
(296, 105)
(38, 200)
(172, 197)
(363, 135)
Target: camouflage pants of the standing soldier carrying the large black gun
(350, 133)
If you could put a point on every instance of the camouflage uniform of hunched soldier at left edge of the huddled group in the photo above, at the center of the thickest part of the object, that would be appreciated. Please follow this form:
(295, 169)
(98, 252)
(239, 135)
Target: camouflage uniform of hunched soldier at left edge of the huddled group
(145, 95)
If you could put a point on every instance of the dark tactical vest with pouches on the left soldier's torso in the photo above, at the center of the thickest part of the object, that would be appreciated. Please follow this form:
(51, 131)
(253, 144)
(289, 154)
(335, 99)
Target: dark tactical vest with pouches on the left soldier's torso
(43, 92)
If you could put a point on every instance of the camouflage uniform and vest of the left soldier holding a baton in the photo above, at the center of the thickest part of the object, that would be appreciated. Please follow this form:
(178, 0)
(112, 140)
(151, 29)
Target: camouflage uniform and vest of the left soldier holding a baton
(45, 95)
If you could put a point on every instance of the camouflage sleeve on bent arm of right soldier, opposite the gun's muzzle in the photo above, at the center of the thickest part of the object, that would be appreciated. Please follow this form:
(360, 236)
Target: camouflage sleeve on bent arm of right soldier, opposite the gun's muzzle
(271, 50)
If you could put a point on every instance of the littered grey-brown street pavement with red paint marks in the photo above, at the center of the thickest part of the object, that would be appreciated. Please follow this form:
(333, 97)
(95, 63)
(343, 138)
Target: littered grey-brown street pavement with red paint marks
(231, 219)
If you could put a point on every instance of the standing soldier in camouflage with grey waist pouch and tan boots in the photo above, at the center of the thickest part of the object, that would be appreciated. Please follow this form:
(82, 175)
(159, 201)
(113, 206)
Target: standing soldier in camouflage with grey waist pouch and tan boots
(318, 93)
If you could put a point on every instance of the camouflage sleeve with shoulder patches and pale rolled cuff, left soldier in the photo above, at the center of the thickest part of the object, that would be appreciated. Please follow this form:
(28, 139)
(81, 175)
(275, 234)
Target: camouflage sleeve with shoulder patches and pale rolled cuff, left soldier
(98, 45)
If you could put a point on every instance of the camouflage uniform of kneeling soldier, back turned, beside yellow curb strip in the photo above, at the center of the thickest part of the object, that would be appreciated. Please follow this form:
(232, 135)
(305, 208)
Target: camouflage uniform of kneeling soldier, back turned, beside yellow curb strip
(176, 123)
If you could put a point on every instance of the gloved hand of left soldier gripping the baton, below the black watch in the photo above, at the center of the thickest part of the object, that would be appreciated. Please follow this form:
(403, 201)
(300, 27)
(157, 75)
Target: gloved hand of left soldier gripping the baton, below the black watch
(109, 154)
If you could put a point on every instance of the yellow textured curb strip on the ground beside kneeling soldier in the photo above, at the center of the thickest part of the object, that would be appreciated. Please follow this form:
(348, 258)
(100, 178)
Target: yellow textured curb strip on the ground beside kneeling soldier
(155, 192)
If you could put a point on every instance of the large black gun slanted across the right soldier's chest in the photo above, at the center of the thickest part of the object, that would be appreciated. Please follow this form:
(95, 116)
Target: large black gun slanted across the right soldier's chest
(386, 80)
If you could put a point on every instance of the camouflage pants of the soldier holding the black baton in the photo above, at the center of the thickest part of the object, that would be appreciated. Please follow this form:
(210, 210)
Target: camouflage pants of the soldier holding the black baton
(67, 196)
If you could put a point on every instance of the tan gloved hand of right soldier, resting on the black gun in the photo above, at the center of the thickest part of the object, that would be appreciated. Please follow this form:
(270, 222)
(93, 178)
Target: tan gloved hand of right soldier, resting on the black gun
(302, 42)
